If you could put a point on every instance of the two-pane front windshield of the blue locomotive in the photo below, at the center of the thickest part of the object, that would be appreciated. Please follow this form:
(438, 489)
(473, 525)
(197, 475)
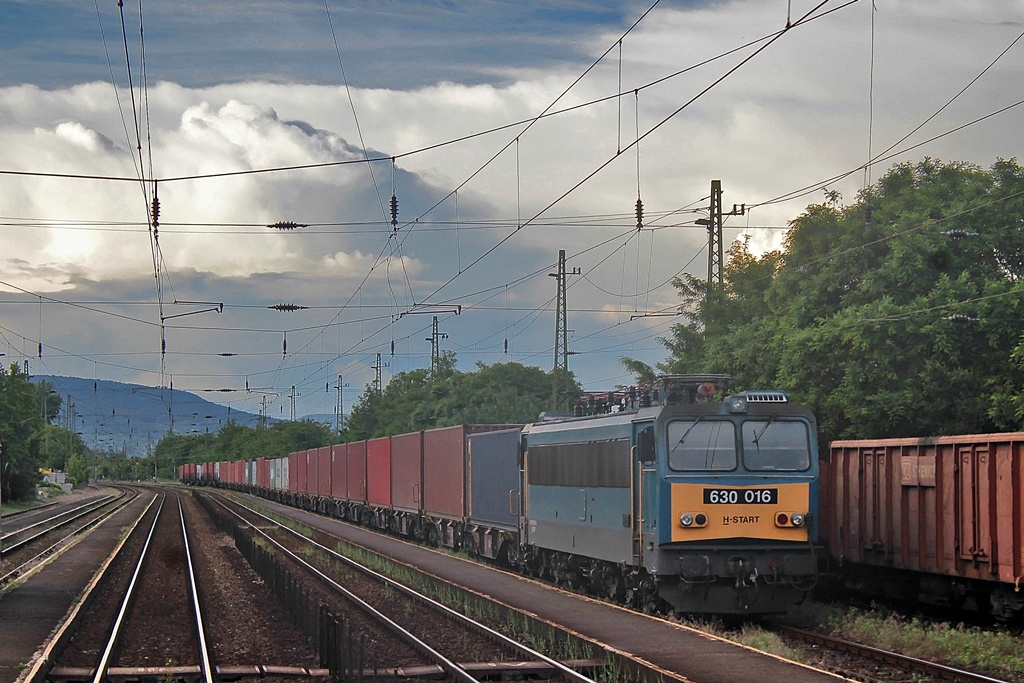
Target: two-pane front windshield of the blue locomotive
(769, 446)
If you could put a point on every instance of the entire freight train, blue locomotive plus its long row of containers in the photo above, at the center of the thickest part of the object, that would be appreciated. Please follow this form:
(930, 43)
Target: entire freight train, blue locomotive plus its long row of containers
(668, 497)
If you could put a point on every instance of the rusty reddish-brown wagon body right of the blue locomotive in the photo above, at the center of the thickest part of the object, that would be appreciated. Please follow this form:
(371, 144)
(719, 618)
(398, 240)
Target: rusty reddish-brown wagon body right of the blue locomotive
(951, 505)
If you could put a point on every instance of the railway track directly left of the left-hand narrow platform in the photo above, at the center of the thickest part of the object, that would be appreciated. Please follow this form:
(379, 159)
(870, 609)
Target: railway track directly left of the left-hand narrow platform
(34, 540)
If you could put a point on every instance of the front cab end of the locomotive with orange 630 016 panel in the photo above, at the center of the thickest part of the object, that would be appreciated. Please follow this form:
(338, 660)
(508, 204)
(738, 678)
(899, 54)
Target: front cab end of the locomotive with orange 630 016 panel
(733, 500)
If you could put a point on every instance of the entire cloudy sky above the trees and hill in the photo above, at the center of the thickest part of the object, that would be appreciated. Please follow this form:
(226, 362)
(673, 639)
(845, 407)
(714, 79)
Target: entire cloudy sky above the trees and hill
(241, 115)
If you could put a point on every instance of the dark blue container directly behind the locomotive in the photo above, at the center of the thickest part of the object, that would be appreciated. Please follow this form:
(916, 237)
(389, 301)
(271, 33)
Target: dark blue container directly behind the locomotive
(493, 473)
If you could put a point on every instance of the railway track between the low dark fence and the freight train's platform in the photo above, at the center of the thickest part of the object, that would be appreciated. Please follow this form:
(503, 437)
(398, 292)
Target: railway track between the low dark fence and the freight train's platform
(389, 603)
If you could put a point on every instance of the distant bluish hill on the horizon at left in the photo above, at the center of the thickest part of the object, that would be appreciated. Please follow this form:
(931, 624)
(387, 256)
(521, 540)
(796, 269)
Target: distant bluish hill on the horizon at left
(133, 418)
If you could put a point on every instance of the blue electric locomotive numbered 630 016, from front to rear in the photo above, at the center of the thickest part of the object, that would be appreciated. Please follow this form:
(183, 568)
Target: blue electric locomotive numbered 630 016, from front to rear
(676, 497)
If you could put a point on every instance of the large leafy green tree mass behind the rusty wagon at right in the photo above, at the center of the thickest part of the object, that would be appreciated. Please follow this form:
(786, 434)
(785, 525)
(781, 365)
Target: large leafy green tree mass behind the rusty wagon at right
(898, 316)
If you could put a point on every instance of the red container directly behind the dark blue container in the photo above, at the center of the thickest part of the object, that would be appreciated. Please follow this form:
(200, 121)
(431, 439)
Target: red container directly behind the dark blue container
(445, 469)
